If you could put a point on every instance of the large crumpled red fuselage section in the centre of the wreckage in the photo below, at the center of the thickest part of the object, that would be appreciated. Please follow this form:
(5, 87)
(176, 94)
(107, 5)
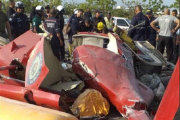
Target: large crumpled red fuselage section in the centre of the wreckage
(111, 74)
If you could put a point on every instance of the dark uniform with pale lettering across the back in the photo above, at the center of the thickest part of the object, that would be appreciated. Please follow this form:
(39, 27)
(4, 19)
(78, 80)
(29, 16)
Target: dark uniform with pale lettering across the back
(52, 26)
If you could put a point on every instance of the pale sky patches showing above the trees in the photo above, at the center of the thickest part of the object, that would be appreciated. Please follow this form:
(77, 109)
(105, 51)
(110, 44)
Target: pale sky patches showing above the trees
(119, 2)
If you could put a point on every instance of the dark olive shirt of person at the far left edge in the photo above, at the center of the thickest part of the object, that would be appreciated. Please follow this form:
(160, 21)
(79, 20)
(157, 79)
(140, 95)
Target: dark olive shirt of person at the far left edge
(3, 20)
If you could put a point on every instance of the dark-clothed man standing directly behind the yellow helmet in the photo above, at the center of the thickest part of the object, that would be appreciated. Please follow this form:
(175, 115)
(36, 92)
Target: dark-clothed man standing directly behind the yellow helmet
(97, 19)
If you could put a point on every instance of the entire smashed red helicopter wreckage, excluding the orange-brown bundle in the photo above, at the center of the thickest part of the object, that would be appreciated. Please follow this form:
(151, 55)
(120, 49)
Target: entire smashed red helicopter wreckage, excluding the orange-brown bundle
(133, 81)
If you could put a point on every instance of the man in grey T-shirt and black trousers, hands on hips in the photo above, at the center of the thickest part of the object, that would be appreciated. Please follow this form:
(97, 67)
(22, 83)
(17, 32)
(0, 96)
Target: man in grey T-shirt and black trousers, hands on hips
(166, 32)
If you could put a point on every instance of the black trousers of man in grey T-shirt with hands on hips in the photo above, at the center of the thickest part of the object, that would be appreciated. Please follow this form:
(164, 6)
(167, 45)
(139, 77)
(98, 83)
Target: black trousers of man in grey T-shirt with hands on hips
(168, 42)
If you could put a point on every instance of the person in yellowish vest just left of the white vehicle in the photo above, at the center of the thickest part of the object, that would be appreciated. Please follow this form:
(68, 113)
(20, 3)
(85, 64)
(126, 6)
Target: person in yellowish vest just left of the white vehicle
(109, 21)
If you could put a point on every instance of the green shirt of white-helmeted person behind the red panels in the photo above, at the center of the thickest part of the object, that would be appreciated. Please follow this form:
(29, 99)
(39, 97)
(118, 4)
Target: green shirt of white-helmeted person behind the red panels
(36, 23)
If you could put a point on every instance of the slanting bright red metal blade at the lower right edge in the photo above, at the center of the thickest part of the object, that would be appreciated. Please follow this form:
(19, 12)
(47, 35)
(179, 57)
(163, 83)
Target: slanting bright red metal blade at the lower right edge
(170, 101)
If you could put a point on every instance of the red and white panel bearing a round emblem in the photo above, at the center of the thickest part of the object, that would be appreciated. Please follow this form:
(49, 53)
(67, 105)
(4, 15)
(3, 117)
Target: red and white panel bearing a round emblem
(36, 69)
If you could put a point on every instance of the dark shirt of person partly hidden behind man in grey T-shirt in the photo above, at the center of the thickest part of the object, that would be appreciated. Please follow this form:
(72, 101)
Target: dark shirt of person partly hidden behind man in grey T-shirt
(153, 33)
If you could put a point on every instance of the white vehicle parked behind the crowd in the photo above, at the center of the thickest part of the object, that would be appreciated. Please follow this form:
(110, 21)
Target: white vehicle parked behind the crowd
(123, 23)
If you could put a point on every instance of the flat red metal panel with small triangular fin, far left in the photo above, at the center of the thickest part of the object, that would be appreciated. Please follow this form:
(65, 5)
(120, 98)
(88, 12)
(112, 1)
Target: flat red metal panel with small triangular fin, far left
(19, 49)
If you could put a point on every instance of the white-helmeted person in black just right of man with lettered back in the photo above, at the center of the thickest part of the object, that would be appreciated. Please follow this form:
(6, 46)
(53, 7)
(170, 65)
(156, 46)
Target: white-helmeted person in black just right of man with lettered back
(59, 16)
